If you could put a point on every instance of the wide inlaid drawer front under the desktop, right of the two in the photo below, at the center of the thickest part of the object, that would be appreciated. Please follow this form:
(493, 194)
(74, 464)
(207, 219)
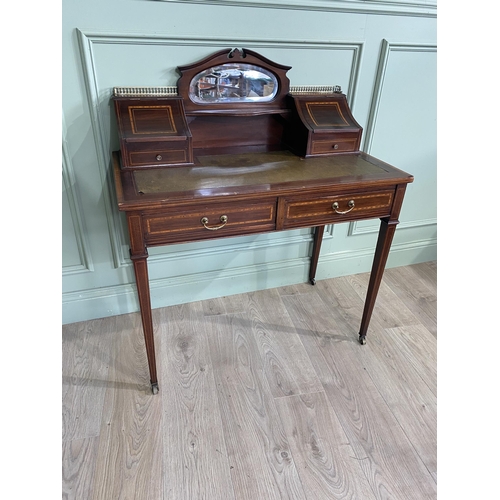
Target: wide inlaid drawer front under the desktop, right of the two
(312, 211)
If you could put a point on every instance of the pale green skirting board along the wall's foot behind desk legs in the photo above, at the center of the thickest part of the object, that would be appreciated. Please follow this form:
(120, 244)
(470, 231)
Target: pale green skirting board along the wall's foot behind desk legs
(113, 301)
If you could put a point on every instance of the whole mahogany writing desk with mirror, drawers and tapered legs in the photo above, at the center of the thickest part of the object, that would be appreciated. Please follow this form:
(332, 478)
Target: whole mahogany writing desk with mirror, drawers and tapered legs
(207, 191)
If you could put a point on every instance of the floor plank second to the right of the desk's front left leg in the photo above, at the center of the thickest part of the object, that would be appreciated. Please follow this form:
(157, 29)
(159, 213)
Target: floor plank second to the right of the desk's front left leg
(259, 455)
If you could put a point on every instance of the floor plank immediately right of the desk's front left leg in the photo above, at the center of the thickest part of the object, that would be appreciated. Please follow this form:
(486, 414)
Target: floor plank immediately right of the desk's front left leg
(196, 463)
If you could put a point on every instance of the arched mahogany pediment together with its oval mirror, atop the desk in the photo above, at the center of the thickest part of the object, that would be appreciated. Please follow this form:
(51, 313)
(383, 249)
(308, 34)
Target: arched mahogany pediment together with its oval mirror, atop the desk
(234, 81)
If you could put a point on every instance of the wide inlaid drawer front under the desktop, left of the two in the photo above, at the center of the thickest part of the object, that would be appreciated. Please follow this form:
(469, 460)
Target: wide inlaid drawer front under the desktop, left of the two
(217, 220)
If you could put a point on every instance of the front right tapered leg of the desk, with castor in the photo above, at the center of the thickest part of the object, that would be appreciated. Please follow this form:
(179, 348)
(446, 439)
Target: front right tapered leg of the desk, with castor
(385, 236)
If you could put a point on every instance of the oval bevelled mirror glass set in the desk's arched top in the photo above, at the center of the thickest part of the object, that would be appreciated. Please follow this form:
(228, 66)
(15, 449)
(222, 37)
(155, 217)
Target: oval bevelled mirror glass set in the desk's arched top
(233, 83)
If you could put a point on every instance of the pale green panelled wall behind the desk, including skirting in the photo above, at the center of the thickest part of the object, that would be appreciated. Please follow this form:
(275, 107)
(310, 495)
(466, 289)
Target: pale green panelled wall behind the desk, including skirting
(384, 59)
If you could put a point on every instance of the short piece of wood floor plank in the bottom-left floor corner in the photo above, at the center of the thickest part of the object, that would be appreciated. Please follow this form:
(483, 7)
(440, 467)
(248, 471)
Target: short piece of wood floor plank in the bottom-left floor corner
(78, 460)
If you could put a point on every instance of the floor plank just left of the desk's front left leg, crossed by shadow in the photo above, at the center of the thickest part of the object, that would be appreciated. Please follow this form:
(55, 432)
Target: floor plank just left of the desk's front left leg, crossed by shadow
(128, 463)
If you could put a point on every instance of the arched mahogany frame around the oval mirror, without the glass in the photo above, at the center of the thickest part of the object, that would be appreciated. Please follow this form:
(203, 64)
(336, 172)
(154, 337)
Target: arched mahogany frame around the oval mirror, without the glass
(241, 107)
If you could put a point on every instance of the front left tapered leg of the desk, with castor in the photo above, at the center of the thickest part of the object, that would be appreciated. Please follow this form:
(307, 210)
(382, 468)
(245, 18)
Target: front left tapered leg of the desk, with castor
(142, 280)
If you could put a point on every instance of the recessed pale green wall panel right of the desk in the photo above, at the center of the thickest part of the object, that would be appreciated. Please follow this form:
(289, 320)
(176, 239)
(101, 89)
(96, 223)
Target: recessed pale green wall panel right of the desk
(403, 122)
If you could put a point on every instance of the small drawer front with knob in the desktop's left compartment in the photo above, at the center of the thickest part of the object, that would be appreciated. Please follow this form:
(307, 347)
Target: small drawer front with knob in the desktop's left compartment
(157, 153)
